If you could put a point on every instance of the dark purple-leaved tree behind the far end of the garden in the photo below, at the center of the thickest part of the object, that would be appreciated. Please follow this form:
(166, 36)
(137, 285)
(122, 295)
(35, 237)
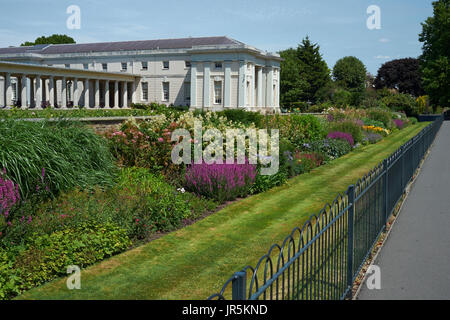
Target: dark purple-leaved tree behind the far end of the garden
(400, 74)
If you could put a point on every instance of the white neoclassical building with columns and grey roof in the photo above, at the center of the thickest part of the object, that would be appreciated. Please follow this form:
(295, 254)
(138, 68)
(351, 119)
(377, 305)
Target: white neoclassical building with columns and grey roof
(210, 73)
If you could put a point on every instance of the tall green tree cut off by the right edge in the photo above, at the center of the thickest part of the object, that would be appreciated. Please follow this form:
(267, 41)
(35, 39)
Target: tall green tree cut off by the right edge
(435, 59)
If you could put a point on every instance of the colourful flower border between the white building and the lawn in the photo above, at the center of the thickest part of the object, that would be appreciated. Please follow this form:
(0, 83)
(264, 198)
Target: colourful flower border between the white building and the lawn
(69, 196)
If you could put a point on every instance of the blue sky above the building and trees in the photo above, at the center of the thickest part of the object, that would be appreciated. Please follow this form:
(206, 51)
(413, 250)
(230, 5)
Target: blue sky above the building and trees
(338, 26)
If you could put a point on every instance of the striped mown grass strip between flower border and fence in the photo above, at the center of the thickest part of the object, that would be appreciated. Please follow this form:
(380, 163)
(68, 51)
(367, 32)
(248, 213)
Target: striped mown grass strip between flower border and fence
(194, 262)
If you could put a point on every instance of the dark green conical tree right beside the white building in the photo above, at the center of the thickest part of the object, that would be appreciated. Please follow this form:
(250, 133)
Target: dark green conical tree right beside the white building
(303, 73)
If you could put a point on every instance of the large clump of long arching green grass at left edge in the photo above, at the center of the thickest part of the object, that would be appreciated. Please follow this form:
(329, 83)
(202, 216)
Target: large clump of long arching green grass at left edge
(72, 155)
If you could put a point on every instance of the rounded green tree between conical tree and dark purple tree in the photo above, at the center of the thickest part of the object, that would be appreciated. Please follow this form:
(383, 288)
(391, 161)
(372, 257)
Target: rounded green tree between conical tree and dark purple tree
(349, 73)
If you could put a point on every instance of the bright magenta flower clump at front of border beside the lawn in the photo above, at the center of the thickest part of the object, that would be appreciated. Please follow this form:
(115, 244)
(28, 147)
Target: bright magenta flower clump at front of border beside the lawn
(220, 181)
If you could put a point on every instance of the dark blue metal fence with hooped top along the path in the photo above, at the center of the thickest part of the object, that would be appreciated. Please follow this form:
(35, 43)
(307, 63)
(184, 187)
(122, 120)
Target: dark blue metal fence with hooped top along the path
(321, 260)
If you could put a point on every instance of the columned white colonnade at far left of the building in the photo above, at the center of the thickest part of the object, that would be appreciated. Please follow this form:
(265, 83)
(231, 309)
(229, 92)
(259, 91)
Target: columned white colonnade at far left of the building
(35, 87)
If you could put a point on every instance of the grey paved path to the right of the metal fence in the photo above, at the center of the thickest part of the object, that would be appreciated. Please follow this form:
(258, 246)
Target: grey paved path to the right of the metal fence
(415, 261)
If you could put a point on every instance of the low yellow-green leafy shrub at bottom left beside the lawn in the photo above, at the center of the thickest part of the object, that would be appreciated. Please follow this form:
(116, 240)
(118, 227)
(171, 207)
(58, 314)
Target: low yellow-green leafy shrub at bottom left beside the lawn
(48, 256)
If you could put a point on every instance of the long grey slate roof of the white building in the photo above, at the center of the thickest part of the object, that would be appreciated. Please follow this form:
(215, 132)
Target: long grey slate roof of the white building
(182, 43)
